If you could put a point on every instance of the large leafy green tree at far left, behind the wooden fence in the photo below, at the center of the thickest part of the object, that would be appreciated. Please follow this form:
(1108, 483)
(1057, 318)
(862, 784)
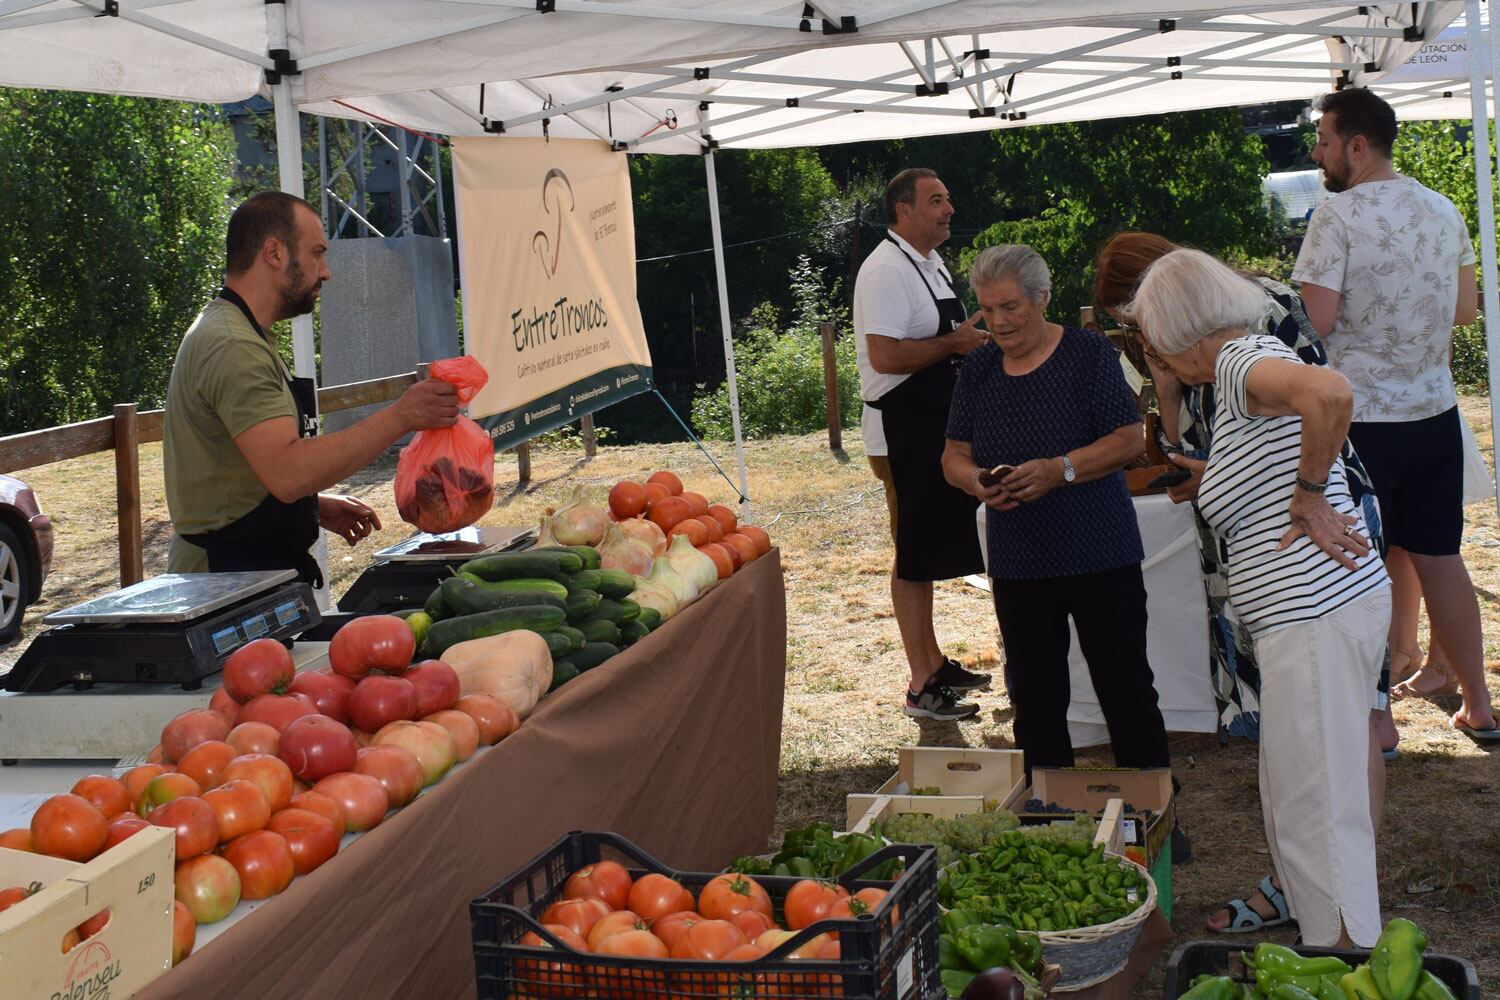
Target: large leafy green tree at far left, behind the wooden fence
(112, 239)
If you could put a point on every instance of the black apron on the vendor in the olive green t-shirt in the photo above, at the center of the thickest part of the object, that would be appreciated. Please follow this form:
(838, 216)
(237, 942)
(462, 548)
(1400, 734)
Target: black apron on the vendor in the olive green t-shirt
(274, 536)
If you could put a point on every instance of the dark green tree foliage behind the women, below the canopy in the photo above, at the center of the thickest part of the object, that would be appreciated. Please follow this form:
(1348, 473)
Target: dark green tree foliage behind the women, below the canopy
(1063, 190)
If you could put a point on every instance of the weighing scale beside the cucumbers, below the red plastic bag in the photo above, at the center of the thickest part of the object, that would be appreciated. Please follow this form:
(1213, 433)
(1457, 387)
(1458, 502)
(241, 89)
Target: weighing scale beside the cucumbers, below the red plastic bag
(403, 576)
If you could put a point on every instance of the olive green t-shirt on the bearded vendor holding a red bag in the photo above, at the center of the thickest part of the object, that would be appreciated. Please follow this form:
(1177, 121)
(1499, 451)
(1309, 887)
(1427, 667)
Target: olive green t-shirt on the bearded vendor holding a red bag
(227, 379)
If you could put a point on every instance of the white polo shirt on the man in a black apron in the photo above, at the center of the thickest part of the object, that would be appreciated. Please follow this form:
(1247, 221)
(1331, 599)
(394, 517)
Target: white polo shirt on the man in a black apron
(893, 299)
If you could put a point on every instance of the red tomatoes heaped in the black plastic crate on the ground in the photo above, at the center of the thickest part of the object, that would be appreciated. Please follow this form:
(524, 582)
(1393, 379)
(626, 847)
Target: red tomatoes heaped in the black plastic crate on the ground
(607, 912)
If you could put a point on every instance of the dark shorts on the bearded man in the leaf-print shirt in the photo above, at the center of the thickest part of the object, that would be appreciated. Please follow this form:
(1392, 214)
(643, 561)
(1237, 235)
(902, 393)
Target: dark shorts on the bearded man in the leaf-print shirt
(1418, 472)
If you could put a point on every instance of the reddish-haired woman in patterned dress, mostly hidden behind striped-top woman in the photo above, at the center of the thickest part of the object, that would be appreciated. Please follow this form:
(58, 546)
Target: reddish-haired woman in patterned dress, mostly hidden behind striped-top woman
(1187, 437)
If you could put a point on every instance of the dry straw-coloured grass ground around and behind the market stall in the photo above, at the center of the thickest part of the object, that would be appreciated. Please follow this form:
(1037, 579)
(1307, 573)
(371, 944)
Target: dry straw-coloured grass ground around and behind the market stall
(1441, 842)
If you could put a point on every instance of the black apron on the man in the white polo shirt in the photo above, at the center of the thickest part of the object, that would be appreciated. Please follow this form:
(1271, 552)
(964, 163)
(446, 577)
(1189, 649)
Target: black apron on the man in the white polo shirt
(937, 537)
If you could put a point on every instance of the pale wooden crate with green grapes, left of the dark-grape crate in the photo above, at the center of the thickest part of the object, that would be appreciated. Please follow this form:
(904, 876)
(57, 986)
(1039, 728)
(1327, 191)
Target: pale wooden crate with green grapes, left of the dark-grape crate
(988, 774)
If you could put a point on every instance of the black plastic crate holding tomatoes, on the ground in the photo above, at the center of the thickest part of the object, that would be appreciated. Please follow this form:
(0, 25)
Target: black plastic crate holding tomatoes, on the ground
(890, 954)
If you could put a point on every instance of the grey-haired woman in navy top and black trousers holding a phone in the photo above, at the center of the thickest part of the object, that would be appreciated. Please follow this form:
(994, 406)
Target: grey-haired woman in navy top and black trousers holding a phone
(1061, 533)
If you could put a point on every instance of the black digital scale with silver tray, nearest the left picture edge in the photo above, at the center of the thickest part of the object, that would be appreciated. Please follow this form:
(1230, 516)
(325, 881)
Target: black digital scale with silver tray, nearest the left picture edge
(175, 629)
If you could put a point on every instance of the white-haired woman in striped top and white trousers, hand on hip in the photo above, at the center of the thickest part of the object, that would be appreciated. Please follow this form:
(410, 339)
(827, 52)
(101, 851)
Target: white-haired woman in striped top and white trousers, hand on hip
(1303, 578)
